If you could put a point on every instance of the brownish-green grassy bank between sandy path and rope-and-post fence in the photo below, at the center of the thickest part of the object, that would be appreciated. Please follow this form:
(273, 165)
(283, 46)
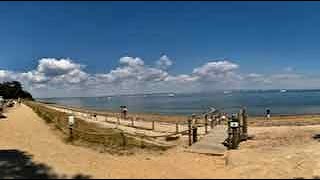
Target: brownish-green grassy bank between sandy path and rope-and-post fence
(91, 134)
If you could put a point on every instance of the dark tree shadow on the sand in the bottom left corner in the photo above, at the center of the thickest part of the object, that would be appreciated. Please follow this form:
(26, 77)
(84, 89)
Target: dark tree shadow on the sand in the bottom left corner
(15, 164)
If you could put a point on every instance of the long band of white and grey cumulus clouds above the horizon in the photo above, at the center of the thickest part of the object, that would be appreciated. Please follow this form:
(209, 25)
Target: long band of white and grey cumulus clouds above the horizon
(65, 77)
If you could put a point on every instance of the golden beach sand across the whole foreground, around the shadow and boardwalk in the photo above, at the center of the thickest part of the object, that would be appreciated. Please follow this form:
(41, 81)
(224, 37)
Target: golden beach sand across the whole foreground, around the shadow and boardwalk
(275, 152)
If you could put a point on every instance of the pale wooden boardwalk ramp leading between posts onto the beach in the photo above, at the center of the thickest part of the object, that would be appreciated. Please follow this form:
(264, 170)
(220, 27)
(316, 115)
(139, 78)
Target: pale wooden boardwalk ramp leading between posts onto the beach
(211, 144)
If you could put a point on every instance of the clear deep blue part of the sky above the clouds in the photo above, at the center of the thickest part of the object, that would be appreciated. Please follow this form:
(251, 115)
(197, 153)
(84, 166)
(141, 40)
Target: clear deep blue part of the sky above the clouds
(264, 38)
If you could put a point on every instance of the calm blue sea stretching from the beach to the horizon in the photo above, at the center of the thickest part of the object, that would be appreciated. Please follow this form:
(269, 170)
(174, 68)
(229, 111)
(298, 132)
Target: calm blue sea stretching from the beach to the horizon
(256, 102)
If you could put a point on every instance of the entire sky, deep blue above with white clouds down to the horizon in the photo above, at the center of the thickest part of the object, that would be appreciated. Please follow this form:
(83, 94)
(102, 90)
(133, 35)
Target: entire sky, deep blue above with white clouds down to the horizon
(59, 49)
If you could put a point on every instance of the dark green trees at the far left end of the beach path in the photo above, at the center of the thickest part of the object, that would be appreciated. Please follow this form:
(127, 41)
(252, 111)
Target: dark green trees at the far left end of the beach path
(13, 90)
